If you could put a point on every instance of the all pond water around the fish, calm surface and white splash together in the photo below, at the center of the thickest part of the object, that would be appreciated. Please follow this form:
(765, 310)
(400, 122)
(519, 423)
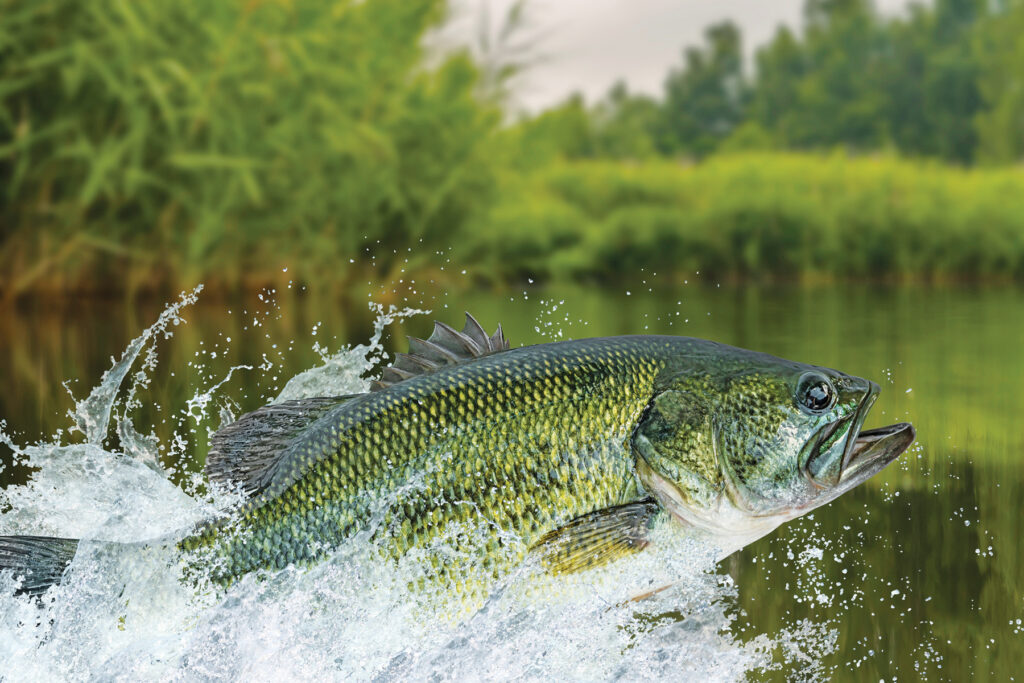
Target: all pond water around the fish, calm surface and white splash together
(918, 573)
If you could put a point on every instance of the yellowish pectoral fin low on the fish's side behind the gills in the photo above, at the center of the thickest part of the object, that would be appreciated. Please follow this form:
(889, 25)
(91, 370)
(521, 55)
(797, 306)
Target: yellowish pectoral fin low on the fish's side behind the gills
(598, 538)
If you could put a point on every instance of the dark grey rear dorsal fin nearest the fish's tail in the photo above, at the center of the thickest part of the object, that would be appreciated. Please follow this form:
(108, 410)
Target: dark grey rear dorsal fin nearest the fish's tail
(249, 452)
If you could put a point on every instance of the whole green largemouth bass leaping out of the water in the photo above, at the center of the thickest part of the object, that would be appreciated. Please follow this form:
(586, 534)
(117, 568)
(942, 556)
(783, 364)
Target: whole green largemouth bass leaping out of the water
(568, 452)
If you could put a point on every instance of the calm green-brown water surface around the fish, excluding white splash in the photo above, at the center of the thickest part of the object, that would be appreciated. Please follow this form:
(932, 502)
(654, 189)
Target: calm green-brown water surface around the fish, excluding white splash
(931, 548)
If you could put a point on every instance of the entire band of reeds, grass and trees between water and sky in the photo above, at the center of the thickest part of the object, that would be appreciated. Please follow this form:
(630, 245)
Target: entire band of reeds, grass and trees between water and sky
(153, 146)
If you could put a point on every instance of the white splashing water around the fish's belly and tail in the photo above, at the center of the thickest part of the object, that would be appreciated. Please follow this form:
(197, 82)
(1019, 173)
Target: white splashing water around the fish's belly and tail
(124, 614)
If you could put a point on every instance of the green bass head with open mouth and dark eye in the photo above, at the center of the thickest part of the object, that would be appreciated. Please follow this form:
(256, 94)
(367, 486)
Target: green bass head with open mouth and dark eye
(738, 451)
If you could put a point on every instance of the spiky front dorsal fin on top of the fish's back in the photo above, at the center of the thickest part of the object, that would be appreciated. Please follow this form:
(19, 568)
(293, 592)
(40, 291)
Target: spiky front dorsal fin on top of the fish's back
(445, 348)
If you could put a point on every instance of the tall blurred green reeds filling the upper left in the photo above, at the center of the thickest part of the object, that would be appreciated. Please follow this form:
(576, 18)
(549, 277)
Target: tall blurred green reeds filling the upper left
(228, 140)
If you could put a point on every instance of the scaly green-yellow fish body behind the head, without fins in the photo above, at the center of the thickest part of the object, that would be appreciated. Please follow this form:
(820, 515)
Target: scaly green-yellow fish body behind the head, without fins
(527, 440)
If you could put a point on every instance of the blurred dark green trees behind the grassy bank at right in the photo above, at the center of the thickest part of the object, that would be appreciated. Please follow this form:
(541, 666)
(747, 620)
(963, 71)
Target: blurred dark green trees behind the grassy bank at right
(938, 82)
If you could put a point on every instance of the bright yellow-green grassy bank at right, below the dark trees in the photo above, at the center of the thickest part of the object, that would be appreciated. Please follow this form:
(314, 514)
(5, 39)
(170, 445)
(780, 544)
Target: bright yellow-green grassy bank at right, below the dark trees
(758, 216)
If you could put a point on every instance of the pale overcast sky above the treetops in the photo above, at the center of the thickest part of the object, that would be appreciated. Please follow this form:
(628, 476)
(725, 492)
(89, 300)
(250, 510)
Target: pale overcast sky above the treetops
(589, 45)
